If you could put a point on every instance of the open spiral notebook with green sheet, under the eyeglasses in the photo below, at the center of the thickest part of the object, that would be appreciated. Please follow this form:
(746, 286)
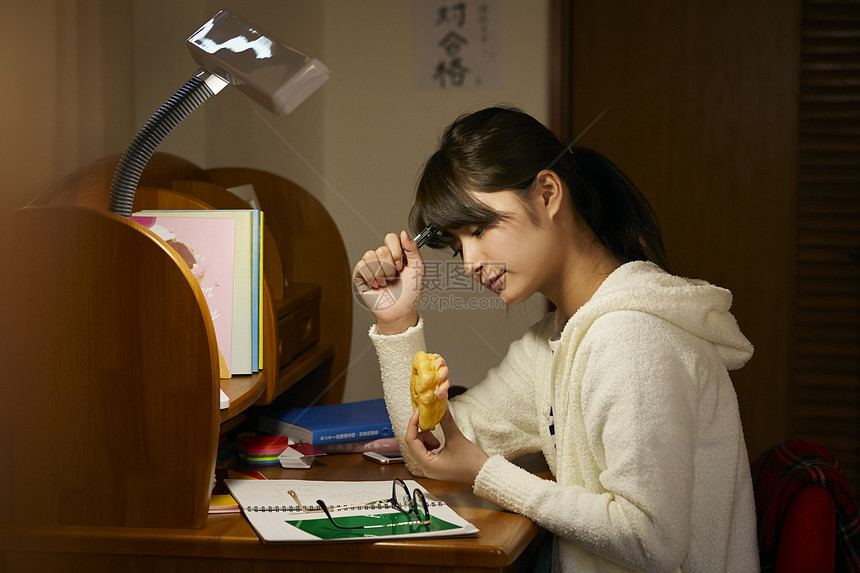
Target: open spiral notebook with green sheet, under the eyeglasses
(276, 517)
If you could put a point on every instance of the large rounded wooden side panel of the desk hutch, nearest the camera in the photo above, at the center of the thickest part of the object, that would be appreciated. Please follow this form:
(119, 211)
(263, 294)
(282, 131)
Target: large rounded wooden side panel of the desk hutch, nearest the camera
(121, 369)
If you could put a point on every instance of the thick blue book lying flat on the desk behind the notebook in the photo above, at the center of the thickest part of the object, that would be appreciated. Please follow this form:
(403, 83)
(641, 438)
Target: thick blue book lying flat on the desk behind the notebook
(329, 424)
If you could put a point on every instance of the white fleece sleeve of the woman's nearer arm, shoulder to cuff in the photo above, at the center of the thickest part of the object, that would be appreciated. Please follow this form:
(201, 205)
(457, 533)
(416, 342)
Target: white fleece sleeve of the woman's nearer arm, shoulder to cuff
(634, 415)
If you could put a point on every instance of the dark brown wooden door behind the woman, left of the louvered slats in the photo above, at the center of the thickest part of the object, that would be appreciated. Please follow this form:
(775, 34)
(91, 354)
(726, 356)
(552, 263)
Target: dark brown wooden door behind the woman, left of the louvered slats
(698, 105)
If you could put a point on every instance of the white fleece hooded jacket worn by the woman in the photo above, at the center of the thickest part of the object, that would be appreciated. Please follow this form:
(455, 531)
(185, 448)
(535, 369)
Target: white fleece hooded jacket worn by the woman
(651, 471)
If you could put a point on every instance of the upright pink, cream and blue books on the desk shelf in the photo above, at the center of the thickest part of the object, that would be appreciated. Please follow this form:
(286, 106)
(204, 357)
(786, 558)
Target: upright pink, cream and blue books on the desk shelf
(223, 250)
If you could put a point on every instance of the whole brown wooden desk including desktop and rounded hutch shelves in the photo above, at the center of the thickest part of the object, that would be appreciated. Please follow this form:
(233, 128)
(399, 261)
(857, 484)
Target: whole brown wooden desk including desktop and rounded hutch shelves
(109, 419)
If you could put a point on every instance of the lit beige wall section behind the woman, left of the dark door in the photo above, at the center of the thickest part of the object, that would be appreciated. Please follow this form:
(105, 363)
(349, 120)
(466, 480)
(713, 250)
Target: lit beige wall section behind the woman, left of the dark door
(379, 130)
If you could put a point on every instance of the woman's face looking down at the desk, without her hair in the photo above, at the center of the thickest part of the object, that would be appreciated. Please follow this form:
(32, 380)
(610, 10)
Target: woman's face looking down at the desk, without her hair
(512, 257)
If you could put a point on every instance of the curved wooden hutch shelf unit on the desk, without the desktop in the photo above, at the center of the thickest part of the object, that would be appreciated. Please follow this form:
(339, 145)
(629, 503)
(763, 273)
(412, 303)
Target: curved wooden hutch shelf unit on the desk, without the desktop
(111, 390)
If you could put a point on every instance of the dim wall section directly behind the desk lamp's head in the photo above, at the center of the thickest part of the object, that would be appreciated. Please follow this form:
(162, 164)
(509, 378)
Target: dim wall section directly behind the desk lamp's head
(231, 129)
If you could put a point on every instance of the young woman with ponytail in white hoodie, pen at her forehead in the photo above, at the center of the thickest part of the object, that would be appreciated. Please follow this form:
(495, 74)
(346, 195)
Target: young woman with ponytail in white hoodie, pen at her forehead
(624, 388)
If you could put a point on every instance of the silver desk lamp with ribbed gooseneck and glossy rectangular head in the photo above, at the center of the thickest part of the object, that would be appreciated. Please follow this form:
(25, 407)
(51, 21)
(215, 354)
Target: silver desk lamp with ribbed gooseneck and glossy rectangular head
(229, 50)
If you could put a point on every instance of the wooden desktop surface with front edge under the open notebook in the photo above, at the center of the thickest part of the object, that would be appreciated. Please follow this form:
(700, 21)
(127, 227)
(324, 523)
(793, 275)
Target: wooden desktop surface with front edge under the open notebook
(228, 543)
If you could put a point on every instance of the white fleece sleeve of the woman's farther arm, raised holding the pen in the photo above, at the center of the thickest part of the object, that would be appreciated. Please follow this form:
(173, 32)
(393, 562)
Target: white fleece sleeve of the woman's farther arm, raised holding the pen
(498, 414)
